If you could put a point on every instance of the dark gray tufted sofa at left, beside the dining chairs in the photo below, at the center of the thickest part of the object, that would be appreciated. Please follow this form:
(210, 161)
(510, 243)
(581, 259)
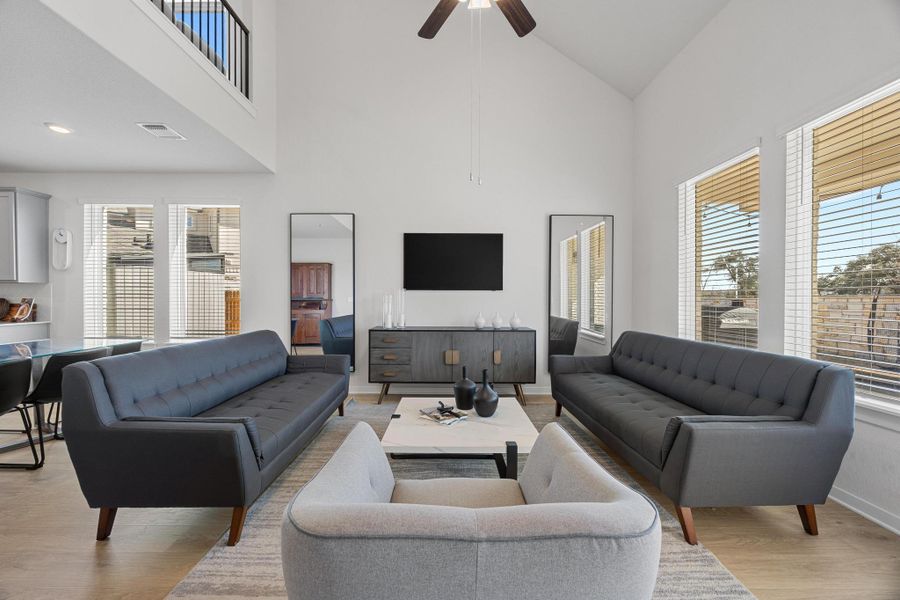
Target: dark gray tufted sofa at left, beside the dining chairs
(210, 423)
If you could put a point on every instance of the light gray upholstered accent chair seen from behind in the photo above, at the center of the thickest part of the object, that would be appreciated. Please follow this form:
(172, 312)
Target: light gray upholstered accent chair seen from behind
(566, 529)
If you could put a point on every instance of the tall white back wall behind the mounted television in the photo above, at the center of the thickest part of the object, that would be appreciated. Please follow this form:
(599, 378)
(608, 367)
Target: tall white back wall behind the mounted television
(375, 121)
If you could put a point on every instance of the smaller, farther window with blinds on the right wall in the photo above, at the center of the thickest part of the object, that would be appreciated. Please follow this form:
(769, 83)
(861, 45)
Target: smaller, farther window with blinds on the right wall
(718, 263)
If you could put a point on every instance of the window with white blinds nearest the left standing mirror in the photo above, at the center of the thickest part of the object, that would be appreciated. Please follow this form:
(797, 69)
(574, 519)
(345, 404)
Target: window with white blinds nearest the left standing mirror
(205, 271)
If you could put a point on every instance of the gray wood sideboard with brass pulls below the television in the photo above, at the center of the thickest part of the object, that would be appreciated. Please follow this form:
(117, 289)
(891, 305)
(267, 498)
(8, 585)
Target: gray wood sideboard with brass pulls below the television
(438, 354)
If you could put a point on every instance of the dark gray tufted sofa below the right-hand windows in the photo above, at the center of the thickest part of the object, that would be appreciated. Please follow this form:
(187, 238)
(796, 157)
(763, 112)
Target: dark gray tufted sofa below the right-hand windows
(713, 425)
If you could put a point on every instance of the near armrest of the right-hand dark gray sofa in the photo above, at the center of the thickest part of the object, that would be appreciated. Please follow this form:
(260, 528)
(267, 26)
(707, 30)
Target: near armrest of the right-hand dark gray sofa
(751, 462)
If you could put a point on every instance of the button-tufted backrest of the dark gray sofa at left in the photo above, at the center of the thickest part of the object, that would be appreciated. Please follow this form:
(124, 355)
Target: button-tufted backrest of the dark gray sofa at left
(186, 380)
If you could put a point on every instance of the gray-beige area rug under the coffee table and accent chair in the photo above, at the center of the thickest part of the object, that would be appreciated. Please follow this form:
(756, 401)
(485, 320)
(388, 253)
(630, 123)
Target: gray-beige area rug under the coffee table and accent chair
(252, 569)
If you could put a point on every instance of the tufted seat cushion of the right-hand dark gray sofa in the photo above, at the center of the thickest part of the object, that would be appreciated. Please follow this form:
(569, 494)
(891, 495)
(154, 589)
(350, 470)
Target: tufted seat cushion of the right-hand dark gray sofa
(636, 415)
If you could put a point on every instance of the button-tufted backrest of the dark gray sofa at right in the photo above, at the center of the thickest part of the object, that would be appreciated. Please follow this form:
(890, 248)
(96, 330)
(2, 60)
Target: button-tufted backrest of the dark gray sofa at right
(717, 379)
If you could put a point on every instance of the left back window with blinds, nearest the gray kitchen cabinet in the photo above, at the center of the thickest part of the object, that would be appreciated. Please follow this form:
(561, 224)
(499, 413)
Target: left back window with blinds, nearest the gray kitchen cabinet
(118, 271)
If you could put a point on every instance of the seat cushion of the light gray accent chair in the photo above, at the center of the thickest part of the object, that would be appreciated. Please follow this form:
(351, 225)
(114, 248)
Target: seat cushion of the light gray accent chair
(462, 493)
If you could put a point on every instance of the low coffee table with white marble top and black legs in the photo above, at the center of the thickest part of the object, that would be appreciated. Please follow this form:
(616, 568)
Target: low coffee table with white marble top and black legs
(500, 437)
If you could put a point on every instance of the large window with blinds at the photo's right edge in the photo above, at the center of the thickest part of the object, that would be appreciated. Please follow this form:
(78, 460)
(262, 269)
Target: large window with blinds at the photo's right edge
(842, 271)
